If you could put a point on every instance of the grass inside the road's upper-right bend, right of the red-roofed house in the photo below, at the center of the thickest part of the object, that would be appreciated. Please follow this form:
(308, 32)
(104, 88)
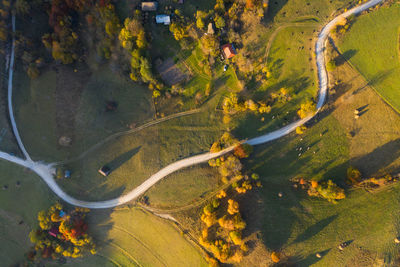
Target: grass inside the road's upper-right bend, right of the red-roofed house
(291, 68)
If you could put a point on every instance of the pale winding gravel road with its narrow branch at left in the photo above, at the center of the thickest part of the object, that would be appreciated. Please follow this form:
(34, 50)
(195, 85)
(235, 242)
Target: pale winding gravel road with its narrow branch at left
(46, 171)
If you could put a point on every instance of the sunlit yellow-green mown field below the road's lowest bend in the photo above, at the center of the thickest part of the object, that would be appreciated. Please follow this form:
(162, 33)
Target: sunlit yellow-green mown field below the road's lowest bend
(132, 237)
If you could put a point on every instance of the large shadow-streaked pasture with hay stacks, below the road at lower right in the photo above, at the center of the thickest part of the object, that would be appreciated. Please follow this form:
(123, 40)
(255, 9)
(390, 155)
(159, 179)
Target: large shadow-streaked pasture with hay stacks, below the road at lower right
(301, 226)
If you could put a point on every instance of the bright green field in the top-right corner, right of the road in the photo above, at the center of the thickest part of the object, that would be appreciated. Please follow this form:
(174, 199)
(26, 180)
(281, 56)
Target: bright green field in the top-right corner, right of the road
(374, 38)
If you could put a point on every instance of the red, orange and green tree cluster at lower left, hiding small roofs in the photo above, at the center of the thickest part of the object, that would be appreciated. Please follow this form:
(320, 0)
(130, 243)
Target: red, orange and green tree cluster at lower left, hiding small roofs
(61, 233)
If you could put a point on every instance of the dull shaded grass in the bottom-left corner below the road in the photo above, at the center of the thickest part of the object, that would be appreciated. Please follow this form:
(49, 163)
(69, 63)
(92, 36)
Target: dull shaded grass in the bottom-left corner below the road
(19, 204)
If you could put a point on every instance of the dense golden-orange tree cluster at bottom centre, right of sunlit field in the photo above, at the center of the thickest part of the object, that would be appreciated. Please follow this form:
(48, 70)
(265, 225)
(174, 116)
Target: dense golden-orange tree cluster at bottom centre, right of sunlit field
(222, 229)
